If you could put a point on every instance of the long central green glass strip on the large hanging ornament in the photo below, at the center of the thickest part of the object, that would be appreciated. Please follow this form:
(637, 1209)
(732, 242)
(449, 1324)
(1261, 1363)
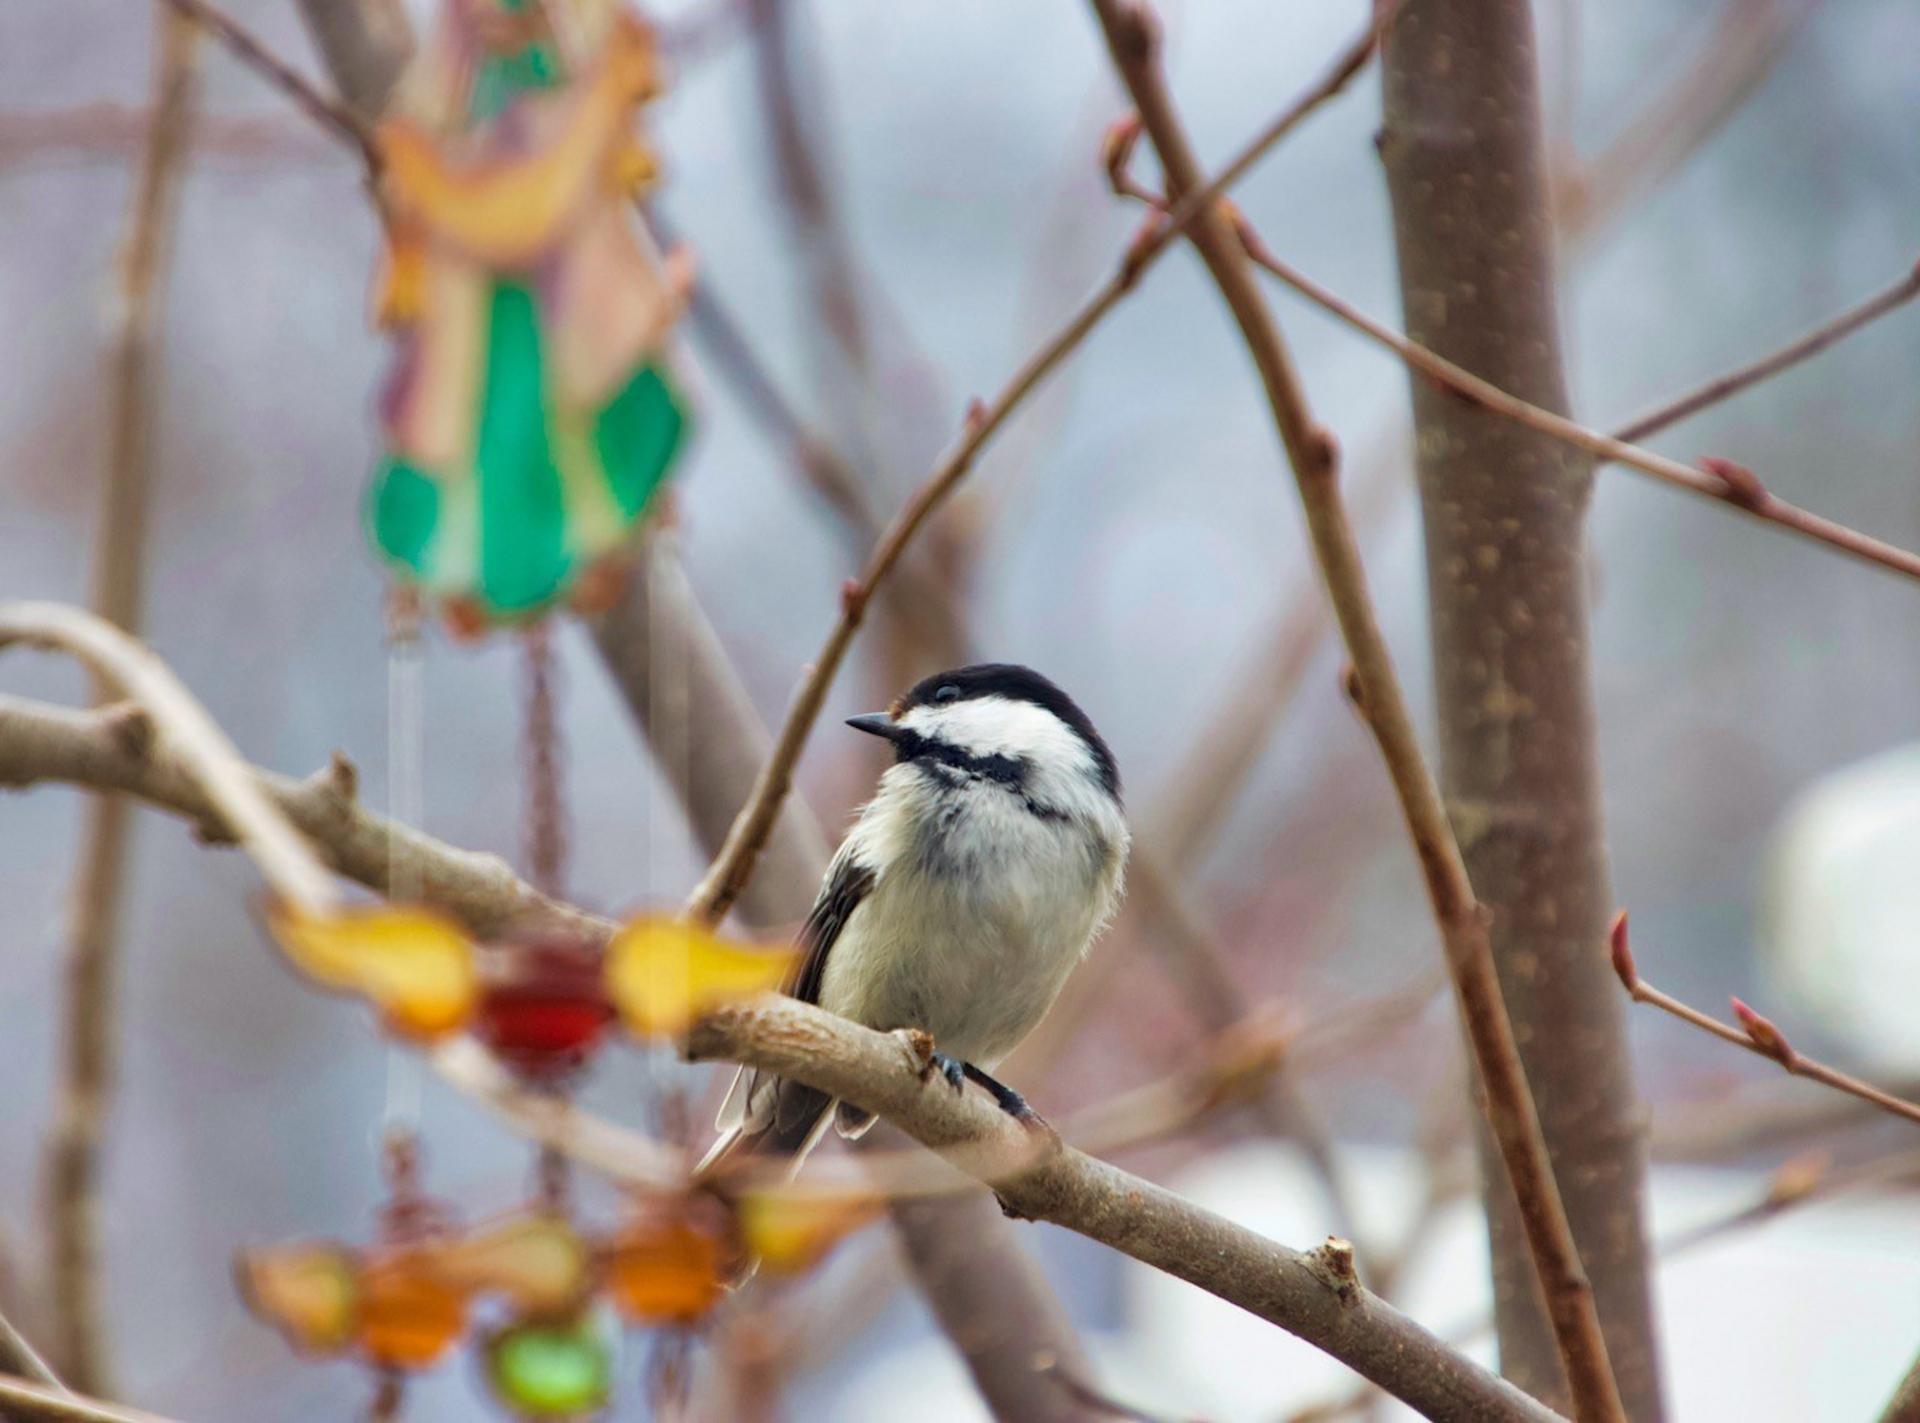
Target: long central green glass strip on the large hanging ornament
(523, 519)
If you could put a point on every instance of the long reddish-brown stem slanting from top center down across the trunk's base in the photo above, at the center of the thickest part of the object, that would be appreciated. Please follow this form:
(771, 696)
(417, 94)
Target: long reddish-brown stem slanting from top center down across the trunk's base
(1134, 43)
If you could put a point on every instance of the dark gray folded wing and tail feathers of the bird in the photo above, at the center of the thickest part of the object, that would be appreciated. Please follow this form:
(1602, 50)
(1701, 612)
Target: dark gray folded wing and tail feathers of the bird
(765, 1113)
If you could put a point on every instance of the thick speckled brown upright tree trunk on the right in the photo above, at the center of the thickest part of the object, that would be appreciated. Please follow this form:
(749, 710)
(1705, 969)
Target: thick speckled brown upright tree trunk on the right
(1504, 514)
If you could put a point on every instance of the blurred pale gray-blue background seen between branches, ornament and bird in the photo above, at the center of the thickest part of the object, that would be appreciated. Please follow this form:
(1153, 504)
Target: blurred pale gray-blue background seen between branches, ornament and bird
(1731, 176)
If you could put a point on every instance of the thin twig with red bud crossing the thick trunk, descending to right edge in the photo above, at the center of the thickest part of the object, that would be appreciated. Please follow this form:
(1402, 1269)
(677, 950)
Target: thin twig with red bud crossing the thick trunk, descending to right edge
(1719, 479)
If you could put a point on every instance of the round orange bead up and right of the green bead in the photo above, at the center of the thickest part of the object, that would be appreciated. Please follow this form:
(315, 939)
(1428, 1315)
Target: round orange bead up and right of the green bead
(671, 1263)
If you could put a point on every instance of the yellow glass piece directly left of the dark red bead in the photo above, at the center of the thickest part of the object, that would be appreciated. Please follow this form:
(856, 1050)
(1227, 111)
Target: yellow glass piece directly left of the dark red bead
(414, 965)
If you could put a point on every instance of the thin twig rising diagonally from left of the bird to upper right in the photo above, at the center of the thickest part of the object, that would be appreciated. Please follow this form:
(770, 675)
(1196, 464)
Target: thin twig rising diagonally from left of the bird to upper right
(734, 863)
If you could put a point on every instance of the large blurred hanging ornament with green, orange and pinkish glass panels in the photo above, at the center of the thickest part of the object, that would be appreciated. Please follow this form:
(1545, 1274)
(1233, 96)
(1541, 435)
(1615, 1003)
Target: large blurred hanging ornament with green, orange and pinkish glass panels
(529, 416)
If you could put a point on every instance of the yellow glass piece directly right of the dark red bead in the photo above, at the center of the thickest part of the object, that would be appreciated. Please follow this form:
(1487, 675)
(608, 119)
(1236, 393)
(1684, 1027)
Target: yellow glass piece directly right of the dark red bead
(665, 973)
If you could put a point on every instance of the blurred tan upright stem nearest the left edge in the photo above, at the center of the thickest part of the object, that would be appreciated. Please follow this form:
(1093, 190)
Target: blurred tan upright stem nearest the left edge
(89, 1013)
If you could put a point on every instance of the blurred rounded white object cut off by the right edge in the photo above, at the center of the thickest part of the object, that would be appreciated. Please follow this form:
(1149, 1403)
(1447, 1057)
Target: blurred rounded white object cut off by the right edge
(1840, 925)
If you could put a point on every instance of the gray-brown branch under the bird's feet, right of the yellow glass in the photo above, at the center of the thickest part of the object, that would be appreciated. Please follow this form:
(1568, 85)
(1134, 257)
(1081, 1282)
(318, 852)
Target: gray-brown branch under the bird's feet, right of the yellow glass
(1312, 1295)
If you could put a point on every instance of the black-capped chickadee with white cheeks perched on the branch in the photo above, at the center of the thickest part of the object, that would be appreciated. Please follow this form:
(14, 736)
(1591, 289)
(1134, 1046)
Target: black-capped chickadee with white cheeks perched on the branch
(965, 896)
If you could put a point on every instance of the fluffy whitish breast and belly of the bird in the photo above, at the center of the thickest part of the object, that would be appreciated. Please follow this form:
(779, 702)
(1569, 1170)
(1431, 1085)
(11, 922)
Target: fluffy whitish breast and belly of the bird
(982, 911)
